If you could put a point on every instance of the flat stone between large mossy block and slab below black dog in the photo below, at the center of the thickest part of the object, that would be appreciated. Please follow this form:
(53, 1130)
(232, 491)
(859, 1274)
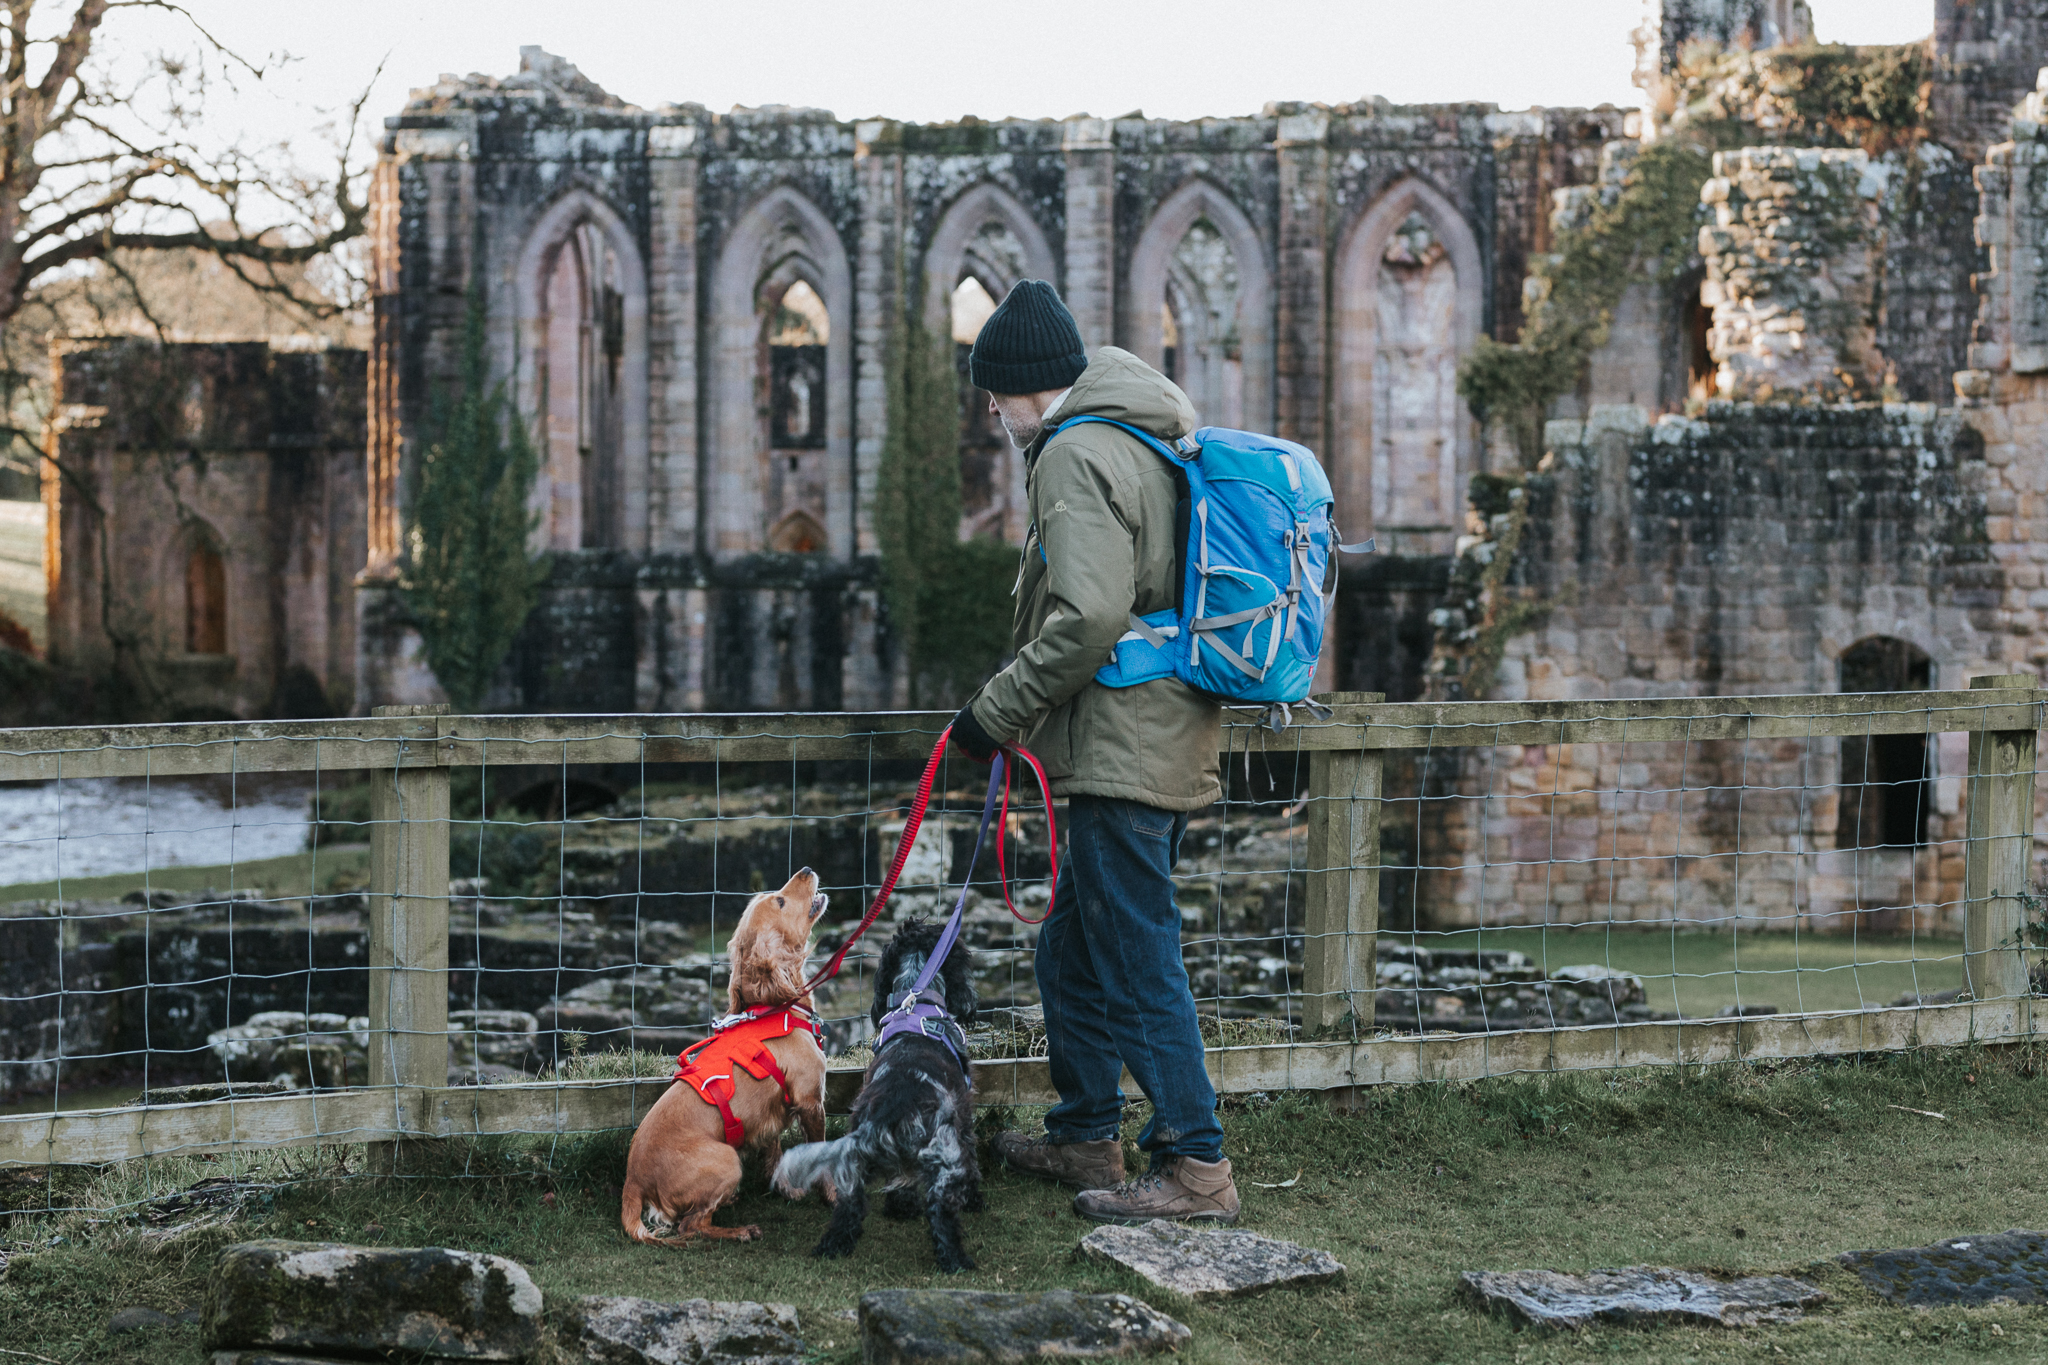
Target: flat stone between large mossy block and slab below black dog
(626, 1331)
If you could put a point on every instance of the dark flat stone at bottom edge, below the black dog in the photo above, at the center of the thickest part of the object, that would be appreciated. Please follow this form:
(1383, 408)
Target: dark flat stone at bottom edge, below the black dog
(912, 1327)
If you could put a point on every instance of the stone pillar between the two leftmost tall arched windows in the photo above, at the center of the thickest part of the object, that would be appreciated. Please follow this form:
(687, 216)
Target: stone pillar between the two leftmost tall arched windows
(673, 369)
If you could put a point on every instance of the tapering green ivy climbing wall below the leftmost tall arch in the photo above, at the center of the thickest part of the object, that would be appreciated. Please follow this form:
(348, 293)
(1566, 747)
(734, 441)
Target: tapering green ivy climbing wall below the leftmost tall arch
(470, 578)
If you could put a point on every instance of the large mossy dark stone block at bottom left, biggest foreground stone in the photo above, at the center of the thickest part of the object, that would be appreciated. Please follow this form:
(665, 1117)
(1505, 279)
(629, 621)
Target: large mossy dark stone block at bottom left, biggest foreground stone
(372, 1301)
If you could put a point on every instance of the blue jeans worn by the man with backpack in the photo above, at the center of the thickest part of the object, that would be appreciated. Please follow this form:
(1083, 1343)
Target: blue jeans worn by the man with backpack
(1115, 989)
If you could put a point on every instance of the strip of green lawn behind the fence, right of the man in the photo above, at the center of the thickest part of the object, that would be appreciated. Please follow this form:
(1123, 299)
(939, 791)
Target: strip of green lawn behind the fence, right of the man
(1699, 971)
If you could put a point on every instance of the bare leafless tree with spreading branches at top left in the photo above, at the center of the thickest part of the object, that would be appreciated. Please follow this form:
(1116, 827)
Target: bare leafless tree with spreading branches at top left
(105, 169)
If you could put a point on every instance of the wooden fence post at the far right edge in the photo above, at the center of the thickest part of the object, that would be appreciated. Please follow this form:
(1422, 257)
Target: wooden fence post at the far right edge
(1998, 854)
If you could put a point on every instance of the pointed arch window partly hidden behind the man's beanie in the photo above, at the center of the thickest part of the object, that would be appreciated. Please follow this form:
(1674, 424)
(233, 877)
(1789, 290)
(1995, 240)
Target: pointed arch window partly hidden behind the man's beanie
(982, 247)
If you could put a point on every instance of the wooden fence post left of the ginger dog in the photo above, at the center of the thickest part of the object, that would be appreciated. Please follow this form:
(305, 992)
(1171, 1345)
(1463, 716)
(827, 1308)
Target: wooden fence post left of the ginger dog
(409, 908)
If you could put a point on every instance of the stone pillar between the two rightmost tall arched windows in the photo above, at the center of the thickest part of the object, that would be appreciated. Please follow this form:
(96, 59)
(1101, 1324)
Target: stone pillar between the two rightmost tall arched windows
(1302, 316)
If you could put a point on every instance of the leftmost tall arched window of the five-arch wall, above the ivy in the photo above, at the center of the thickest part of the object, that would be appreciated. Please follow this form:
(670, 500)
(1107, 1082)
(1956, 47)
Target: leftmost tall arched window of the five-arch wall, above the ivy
(583, 365)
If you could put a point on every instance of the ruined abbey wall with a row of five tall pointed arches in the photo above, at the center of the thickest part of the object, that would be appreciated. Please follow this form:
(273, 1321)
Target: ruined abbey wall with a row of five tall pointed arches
(697, 314)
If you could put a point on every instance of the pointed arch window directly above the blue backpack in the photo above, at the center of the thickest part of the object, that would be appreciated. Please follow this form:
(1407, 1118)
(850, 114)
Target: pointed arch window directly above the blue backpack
(1201, 290)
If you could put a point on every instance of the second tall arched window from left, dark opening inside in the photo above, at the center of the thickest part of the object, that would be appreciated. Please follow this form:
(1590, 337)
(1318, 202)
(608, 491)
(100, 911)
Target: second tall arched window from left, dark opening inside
(783, 384)
